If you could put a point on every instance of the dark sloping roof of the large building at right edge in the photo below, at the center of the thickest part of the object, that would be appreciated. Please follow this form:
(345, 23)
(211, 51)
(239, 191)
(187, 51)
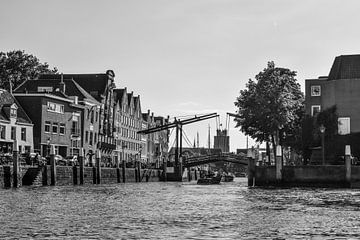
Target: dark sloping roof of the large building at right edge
(345, 67)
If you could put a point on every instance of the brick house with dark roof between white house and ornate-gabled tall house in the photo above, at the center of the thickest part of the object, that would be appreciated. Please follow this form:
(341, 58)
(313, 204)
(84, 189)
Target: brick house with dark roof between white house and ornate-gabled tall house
(65, 115)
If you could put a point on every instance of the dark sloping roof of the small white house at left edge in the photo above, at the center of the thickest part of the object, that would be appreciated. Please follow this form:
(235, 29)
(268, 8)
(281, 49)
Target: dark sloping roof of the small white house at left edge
(6, 100)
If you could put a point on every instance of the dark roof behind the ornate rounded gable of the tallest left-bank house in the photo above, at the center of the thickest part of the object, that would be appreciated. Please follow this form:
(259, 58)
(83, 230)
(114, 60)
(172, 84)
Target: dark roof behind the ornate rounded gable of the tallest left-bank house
(95, 84)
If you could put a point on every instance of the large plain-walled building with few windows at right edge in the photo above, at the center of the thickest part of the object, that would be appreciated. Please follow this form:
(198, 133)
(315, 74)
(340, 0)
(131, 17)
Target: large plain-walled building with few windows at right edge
(341, 89)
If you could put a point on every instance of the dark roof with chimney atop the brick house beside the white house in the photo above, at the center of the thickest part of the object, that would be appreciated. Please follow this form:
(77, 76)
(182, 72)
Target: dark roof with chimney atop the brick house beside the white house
(71, 88)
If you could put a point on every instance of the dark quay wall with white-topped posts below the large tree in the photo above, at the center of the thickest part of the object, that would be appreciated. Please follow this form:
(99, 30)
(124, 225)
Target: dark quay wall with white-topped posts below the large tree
(345, 176)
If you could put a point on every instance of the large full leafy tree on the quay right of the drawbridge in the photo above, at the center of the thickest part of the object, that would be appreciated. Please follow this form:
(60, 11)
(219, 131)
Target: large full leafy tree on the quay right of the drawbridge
(271, 109)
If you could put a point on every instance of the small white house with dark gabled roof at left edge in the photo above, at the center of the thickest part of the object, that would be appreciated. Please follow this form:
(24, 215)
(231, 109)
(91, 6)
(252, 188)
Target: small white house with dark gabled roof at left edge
(15, 124)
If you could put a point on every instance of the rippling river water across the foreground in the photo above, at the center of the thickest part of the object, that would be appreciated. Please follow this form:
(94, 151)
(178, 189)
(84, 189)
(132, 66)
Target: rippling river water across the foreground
(160, 210)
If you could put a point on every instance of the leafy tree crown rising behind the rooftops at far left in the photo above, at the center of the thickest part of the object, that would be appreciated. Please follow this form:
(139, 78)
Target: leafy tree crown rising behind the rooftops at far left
(17, 66)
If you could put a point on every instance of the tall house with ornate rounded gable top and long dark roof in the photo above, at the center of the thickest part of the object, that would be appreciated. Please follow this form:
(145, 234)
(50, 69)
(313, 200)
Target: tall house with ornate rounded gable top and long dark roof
(98, 132)
